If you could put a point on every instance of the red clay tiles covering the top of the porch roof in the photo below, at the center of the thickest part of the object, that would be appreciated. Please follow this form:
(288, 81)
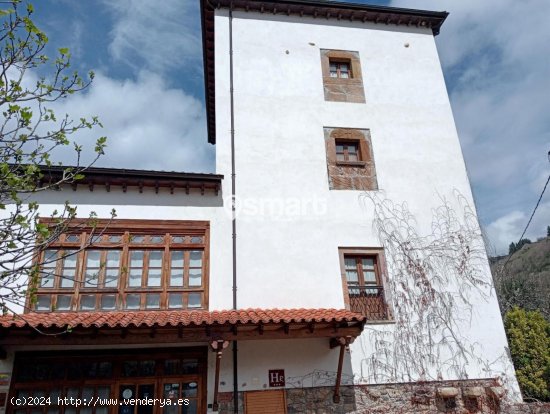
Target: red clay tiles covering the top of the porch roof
(178, 318)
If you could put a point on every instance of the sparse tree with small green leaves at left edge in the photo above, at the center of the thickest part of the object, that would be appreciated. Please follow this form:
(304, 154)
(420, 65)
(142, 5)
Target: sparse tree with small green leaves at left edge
(30, 132)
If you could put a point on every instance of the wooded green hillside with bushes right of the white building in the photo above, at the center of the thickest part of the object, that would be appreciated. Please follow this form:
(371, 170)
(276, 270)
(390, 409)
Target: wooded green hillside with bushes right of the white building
(522, 282)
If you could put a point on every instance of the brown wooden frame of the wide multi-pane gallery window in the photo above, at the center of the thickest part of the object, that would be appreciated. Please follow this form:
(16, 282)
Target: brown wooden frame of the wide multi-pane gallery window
(196, 237)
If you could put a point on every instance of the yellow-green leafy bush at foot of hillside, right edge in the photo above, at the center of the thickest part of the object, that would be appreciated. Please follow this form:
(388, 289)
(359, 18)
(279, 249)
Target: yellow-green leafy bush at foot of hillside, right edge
(529, 338)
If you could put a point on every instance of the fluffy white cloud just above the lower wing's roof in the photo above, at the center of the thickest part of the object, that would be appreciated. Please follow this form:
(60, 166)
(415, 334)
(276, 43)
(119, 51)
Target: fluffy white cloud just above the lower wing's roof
(148, 124)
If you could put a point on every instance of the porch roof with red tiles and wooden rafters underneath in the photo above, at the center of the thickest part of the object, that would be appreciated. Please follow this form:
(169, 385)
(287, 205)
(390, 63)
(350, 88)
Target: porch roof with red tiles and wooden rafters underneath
(82, 328)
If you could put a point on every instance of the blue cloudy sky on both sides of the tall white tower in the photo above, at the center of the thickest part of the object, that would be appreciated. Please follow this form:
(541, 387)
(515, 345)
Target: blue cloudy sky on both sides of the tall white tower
(149, 92)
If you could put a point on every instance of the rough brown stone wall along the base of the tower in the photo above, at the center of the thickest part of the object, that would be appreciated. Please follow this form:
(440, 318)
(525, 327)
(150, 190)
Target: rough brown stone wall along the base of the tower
(471, 396)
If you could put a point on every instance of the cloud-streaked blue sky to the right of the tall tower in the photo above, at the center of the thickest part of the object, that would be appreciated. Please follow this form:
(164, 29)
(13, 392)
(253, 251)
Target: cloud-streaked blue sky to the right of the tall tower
(494, 55)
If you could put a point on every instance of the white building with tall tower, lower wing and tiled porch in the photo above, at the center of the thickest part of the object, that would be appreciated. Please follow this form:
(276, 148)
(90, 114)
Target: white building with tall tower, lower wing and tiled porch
(327, 118)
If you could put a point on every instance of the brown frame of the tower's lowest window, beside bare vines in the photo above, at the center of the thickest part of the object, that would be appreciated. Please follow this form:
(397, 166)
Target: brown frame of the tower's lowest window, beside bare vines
(380, 272)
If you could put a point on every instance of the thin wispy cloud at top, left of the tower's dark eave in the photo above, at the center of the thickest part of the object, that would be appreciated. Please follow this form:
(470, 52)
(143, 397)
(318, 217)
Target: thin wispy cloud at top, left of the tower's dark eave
(157, 36)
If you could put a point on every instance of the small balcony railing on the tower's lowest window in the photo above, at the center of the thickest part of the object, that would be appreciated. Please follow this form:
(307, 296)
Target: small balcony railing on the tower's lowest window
(369, 301)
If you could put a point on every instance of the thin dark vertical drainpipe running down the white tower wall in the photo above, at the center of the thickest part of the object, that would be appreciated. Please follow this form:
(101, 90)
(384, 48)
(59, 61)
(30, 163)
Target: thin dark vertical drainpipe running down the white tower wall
(233, 211)
